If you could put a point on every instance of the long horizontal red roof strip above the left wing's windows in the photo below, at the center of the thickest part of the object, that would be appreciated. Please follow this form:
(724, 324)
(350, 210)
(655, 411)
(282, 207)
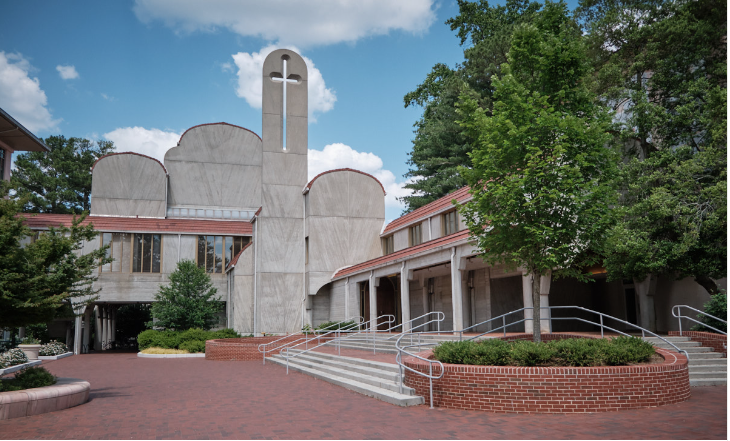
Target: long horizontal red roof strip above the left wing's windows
(151, 225)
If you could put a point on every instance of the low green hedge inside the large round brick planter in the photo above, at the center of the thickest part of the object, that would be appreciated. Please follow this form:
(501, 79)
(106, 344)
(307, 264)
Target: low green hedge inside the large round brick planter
(569, 352)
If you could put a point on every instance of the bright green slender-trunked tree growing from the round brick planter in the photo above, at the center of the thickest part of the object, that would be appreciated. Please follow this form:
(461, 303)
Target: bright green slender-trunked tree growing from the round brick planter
(541, 176)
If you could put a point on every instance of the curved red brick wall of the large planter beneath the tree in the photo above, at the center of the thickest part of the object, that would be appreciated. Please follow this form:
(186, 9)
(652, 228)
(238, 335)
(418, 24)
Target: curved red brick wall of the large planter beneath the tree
(509, 389)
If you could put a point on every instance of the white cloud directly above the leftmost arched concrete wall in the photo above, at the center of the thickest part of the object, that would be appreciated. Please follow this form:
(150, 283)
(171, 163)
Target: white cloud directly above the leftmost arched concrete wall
(150, 142)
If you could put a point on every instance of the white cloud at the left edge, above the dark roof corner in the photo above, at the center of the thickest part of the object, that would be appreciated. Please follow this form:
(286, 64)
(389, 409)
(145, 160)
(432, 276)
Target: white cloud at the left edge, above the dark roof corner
(21, 96)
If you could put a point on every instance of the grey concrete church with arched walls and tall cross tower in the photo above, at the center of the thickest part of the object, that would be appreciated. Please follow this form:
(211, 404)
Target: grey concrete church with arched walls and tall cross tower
(284, 252)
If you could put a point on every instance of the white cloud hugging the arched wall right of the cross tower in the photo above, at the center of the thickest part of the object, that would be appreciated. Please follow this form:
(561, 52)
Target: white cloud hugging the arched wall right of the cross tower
(339, 155)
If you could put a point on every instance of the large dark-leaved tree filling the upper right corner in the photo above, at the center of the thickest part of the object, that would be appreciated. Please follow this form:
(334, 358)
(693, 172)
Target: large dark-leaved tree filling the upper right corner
(664, 66)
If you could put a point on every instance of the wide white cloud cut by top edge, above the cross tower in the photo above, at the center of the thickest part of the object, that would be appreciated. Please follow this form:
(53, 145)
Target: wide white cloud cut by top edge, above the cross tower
(304, 23)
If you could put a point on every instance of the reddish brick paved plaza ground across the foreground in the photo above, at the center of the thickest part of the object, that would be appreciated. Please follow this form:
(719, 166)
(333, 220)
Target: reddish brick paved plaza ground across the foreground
(136, 398)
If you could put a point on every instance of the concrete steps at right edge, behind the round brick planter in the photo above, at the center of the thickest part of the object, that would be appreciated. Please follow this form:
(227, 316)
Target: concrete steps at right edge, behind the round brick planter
(706, 367)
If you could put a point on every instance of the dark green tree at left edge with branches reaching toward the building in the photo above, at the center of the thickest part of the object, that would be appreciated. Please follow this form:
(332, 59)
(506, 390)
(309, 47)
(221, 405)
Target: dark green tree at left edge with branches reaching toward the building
(40, 277)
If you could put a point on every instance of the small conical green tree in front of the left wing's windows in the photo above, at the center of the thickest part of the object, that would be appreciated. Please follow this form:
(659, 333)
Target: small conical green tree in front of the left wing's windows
(188, 301)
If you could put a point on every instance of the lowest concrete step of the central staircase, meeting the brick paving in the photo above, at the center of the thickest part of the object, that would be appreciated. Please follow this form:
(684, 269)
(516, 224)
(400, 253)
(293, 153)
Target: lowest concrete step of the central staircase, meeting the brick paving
(383, 394)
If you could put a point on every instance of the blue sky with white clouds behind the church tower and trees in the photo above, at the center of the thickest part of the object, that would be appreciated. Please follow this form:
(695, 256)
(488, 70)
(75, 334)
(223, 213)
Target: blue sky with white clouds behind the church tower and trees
(141, 72)
